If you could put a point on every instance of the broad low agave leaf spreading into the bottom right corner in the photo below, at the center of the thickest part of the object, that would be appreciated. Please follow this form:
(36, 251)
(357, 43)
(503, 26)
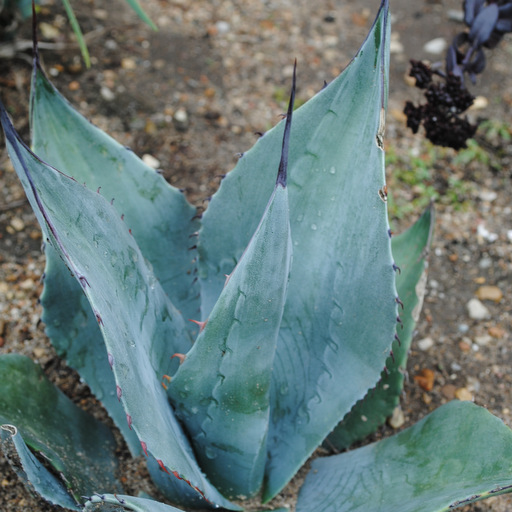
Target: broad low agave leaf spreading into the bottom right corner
(458, 454)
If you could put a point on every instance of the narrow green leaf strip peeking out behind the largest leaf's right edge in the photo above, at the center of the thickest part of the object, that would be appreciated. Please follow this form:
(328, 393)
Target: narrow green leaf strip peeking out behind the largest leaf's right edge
(410, 250)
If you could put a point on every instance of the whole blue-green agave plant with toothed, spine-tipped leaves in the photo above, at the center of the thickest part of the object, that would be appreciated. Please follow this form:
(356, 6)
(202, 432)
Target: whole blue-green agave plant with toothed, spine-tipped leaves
(303, 306)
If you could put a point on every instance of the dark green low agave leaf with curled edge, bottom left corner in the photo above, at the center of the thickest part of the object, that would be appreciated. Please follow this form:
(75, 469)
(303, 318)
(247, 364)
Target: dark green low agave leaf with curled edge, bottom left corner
(34, 412)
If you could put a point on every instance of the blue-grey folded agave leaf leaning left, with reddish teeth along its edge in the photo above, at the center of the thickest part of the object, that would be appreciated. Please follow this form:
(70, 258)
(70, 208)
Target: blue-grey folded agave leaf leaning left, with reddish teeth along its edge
(143, 330)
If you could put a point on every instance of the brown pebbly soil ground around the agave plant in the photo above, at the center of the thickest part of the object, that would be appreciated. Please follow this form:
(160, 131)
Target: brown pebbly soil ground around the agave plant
(193, 94)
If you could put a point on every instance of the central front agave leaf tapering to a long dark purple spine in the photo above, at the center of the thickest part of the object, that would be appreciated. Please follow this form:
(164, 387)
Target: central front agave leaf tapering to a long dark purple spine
(222, 389)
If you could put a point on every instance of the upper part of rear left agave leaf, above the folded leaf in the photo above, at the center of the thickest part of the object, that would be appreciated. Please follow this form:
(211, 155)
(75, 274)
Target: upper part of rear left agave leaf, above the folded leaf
(159, 216)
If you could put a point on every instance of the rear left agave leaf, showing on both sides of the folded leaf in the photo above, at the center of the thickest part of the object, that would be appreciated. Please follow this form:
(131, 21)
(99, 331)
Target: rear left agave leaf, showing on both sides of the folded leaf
(157, 214)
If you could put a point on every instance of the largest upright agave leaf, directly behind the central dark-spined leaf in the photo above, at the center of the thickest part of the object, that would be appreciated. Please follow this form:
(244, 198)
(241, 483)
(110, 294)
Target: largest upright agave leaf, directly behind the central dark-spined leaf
(340, 316)
